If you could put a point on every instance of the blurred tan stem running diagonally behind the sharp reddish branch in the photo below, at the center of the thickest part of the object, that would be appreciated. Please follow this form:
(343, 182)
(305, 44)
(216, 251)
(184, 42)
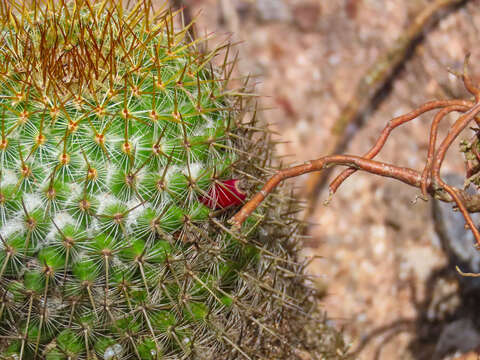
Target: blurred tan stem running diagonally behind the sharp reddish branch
(371, 84)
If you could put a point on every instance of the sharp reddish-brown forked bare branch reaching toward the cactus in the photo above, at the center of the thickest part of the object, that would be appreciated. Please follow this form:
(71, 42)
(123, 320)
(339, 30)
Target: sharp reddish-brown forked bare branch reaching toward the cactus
(428, 181)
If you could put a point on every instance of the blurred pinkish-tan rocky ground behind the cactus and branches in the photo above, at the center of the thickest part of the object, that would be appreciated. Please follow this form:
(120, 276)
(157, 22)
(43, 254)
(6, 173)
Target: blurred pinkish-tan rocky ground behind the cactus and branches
(390, 278)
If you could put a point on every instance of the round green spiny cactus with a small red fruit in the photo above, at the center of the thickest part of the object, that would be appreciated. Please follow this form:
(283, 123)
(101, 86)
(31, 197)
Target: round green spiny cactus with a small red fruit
(121, 152)
